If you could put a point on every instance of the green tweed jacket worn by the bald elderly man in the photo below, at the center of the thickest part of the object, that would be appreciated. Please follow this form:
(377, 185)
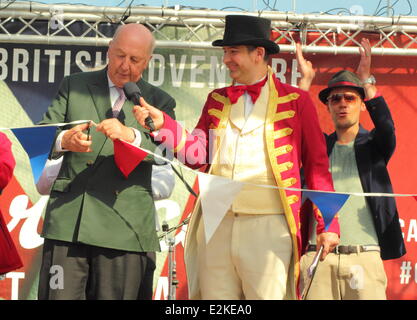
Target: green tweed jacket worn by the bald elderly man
(91, 202)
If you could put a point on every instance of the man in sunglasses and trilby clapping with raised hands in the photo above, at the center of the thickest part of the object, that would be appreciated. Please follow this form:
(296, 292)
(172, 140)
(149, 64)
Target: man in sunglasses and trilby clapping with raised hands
(369, 227)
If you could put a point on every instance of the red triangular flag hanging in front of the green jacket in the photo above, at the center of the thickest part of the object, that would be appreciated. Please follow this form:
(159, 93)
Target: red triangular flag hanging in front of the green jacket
(127, 156)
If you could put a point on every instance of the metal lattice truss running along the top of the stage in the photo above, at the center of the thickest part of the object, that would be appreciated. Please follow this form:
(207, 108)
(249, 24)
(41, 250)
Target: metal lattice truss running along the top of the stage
(179, 27)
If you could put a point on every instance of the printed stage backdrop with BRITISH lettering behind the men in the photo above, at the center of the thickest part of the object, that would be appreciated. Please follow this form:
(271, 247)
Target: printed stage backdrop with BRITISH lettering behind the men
(30, 76)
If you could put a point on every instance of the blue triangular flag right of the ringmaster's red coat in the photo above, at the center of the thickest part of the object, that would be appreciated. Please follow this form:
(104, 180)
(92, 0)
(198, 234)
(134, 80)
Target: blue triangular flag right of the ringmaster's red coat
(328, 203)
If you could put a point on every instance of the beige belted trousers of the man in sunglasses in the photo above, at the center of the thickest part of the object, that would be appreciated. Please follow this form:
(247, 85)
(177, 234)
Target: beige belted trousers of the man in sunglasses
(355, 276)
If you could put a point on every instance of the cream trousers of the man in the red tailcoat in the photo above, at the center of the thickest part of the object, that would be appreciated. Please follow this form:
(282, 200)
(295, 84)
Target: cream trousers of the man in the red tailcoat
(247, 258)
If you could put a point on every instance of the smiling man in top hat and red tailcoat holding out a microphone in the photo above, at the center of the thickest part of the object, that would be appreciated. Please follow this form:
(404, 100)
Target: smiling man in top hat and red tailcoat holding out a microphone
(265, 129)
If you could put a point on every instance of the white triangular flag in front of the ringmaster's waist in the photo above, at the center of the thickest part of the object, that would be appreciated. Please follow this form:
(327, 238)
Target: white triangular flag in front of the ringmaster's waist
(216, 195)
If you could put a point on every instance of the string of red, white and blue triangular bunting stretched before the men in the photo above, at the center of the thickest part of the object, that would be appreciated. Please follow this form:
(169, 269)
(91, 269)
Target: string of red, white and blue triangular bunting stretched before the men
(217, 193)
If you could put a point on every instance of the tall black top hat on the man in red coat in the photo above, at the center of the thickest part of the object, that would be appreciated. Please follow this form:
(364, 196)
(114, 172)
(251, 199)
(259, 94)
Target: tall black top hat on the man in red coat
(247, 30)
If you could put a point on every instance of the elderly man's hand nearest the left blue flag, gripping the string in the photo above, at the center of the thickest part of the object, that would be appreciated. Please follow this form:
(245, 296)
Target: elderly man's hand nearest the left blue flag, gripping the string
(76, 140)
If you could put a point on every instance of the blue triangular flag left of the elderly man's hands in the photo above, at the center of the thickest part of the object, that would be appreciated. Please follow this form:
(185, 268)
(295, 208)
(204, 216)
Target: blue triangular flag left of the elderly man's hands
(37, 142)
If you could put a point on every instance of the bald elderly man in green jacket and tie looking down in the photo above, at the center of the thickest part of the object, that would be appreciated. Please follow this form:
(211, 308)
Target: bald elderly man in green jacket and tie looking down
(99, 226)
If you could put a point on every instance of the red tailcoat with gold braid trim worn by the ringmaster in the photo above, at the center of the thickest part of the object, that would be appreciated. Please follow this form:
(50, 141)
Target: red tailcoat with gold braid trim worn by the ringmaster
(293, 140)
